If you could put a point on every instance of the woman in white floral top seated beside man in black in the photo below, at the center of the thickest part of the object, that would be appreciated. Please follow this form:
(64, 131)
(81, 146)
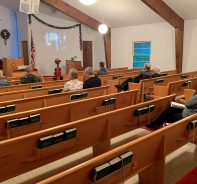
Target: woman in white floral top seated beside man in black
(73, 83)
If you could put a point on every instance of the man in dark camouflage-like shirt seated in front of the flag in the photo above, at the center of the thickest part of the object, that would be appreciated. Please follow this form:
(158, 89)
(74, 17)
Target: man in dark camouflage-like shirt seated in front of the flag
(29, 77)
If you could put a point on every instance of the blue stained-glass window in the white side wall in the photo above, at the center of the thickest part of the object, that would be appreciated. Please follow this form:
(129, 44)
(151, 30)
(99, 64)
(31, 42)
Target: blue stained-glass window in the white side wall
(141, 53)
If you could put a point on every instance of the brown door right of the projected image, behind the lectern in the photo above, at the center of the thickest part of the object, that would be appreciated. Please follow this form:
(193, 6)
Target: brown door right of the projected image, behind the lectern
(87, 53)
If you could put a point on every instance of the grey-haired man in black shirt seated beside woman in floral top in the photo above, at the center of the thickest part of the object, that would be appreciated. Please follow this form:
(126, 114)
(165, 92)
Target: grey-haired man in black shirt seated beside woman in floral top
(90, 80)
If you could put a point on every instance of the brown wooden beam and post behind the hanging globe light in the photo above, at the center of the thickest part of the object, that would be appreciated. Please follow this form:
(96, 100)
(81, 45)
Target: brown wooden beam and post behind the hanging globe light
(85, 19)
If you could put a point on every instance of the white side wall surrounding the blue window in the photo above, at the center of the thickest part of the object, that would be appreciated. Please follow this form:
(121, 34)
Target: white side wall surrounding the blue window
(161, 35)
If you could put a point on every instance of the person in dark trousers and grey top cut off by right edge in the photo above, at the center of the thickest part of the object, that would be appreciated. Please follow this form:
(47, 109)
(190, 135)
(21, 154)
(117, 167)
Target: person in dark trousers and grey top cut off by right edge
(172, 114)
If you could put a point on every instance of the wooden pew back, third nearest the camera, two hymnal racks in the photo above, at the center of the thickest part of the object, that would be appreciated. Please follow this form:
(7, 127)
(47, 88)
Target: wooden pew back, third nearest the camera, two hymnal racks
(65, 113)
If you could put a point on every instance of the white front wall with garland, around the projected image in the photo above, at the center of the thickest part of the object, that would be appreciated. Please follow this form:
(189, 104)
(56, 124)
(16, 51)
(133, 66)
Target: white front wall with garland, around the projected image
(45, 59)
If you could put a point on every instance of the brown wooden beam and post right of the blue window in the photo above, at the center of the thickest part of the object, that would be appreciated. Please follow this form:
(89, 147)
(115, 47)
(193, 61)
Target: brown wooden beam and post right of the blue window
(176, 21)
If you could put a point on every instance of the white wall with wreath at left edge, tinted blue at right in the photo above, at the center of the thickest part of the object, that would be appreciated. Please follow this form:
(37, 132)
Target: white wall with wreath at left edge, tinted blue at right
(7, 21)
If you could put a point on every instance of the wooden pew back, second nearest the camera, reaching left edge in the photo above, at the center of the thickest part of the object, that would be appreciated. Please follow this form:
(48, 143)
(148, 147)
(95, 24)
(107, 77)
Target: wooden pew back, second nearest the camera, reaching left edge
(19, 155)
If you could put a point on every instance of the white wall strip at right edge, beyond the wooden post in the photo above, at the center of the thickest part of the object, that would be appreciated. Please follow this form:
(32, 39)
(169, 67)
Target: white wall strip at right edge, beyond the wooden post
(190, 46)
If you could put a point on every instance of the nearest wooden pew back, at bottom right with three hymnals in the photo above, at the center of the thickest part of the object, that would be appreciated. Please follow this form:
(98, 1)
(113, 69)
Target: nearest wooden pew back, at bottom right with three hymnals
(148, 159)
